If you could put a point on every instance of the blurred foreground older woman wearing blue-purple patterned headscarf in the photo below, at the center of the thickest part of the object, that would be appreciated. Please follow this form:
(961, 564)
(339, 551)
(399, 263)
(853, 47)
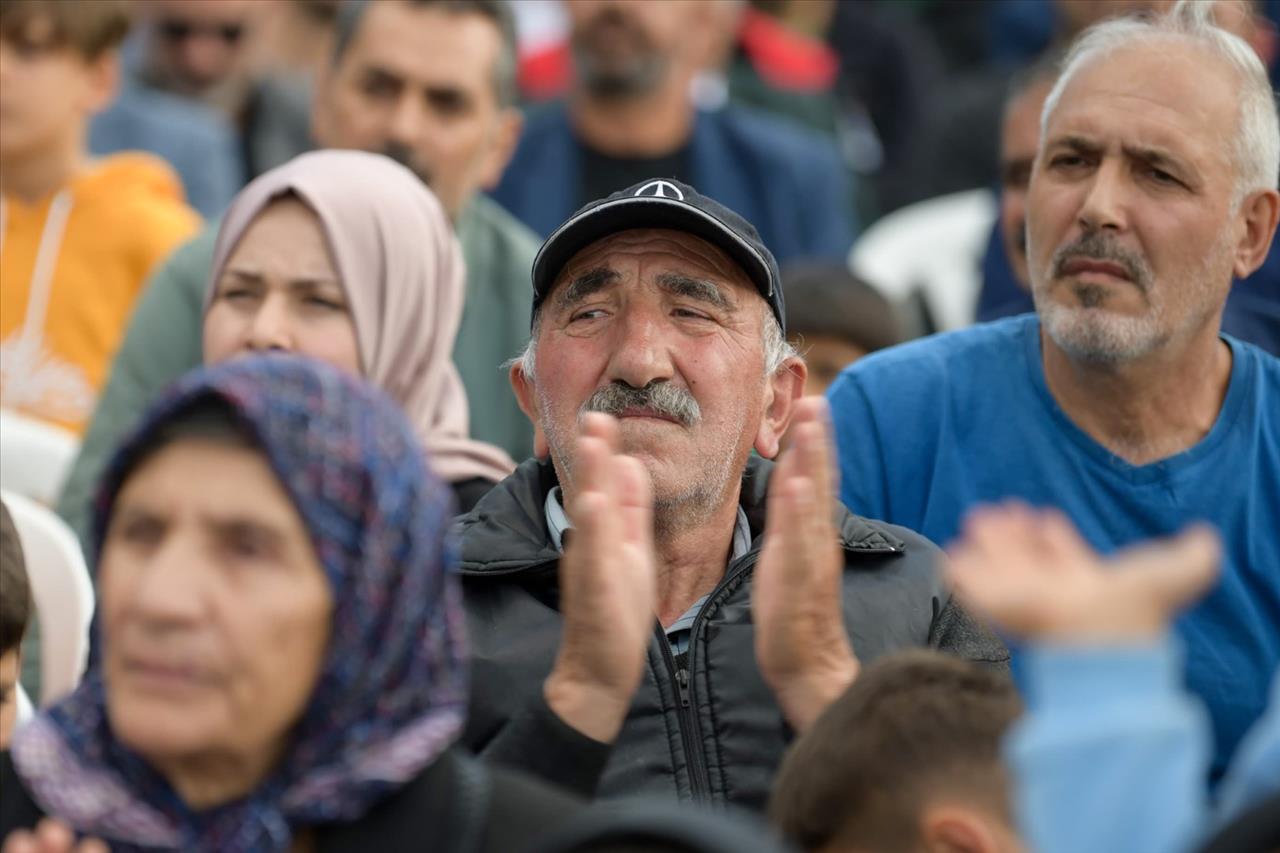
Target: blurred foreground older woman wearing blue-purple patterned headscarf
(281, 658)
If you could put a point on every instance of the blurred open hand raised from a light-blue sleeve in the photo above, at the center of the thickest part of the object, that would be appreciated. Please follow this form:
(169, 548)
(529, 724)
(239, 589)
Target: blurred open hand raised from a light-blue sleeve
(1032, 574)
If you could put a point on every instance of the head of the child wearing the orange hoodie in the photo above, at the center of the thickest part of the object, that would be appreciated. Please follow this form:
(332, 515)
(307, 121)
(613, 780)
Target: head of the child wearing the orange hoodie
(58, 67)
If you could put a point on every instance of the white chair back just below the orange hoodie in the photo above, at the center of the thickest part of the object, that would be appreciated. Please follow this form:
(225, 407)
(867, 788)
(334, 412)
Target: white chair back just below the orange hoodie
(35, 457)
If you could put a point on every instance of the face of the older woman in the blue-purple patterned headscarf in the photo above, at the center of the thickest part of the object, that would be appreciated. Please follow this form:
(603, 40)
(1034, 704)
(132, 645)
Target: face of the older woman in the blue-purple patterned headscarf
(216, 610)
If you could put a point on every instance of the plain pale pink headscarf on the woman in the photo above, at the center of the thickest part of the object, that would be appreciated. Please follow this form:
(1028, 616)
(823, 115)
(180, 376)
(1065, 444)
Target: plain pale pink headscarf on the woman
(404, 275)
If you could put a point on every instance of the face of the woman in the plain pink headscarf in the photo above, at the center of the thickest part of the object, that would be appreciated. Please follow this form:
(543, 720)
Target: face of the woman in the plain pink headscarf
(281, 290)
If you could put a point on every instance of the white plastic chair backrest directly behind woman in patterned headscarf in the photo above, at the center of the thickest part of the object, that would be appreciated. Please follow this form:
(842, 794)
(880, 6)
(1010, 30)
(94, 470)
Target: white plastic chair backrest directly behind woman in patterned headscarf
(62, 591)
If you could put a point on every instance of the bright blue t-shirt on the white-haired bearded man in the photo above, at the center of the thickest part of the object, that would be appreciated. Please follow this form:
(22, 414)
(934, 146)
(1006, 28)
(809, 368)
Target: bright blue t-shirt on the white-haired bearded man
(930, 430)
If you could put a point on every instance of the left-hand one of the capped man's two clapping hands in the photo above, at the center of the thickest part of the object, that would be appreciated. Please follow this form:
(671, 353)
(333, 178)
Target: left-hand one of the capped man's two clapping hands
(609, 586)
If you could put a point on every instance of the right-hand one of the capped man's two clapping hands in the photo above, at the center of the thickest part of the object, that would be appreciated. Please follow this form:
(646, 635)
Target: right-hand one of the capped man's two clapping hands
(801, 644)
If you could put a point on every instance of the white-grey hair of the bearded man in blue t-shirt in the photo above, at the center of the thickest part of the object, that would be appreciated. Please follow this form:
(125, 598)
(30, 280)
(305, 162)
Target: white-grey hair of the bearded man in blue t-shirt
(1256, 144)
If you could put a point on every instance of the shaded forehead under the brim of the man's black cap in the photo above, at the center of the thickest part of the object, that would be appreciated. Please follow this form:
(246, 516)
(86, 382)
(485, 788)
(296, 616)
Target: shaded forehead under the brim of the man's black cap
(657, 250)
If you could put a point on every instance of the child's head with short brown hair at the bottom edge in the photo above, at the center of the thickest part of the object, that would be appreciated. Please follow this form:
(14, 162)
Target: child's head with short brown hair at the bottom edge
(907, 760)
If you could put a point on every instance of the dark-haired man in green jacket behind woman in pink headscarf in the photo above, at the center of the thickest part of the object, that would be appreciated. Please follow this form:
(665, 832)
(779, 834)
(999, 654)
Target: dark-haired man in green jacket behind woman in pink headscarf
(433, 85)
